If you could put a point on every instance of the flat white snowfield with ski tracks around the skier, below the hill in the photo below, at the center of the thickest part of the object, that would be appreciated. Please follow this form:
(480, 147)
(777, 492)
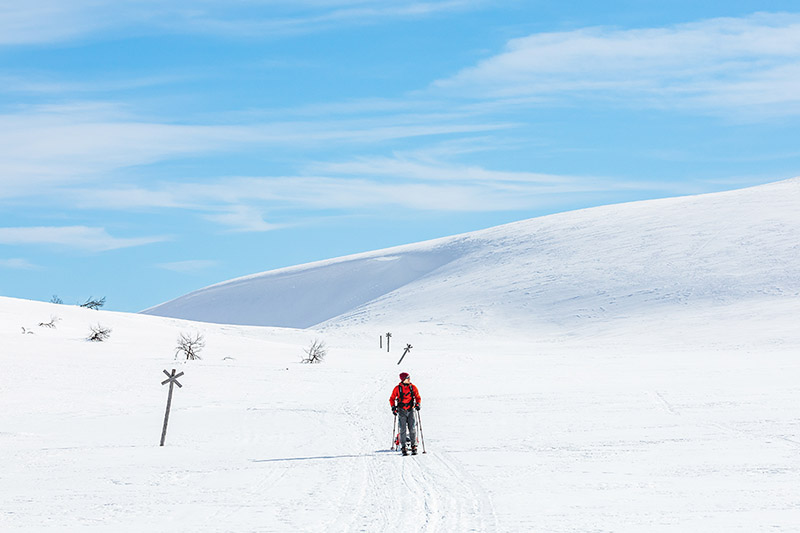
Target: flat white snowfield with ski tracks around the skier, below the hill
(578, 435)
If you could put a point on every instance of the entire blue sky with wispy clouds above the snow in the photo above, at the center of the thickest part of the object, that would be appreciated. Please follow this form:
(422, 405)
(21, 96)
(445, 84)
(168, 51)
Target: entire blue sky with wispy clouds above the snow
(151, 148)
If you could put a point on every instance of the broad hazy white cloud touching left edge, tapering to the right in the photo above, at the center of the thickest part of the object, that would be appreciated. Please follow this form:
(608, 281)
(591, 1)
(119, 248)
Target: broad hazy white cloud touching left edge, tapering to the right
(46, 147)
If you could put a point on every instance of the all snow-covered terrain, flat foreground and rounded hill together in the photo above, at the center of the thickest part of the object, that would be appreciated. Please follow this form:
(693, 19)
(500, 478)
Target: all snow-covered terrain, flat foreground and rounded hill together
(628, 368)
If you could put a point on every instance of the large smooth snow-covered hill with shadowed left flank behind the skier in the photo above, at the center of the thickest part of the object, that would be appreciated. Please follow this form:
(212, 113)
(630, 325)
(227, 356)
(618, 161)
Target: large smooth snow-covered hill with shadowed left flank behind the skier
(584, 269)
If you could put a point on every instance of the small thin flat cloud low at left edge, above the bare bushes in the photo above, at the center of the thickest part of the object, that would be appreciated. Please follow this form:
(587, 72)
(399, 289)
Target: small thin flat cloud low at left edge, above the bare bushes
(79, 237)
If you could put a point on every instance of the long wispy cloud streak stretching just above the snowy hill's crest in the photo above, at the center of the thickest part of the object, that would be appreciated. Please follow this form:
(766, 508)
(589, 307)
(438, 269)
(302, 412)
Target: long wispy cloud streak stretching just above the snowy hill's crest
(374, 184)
